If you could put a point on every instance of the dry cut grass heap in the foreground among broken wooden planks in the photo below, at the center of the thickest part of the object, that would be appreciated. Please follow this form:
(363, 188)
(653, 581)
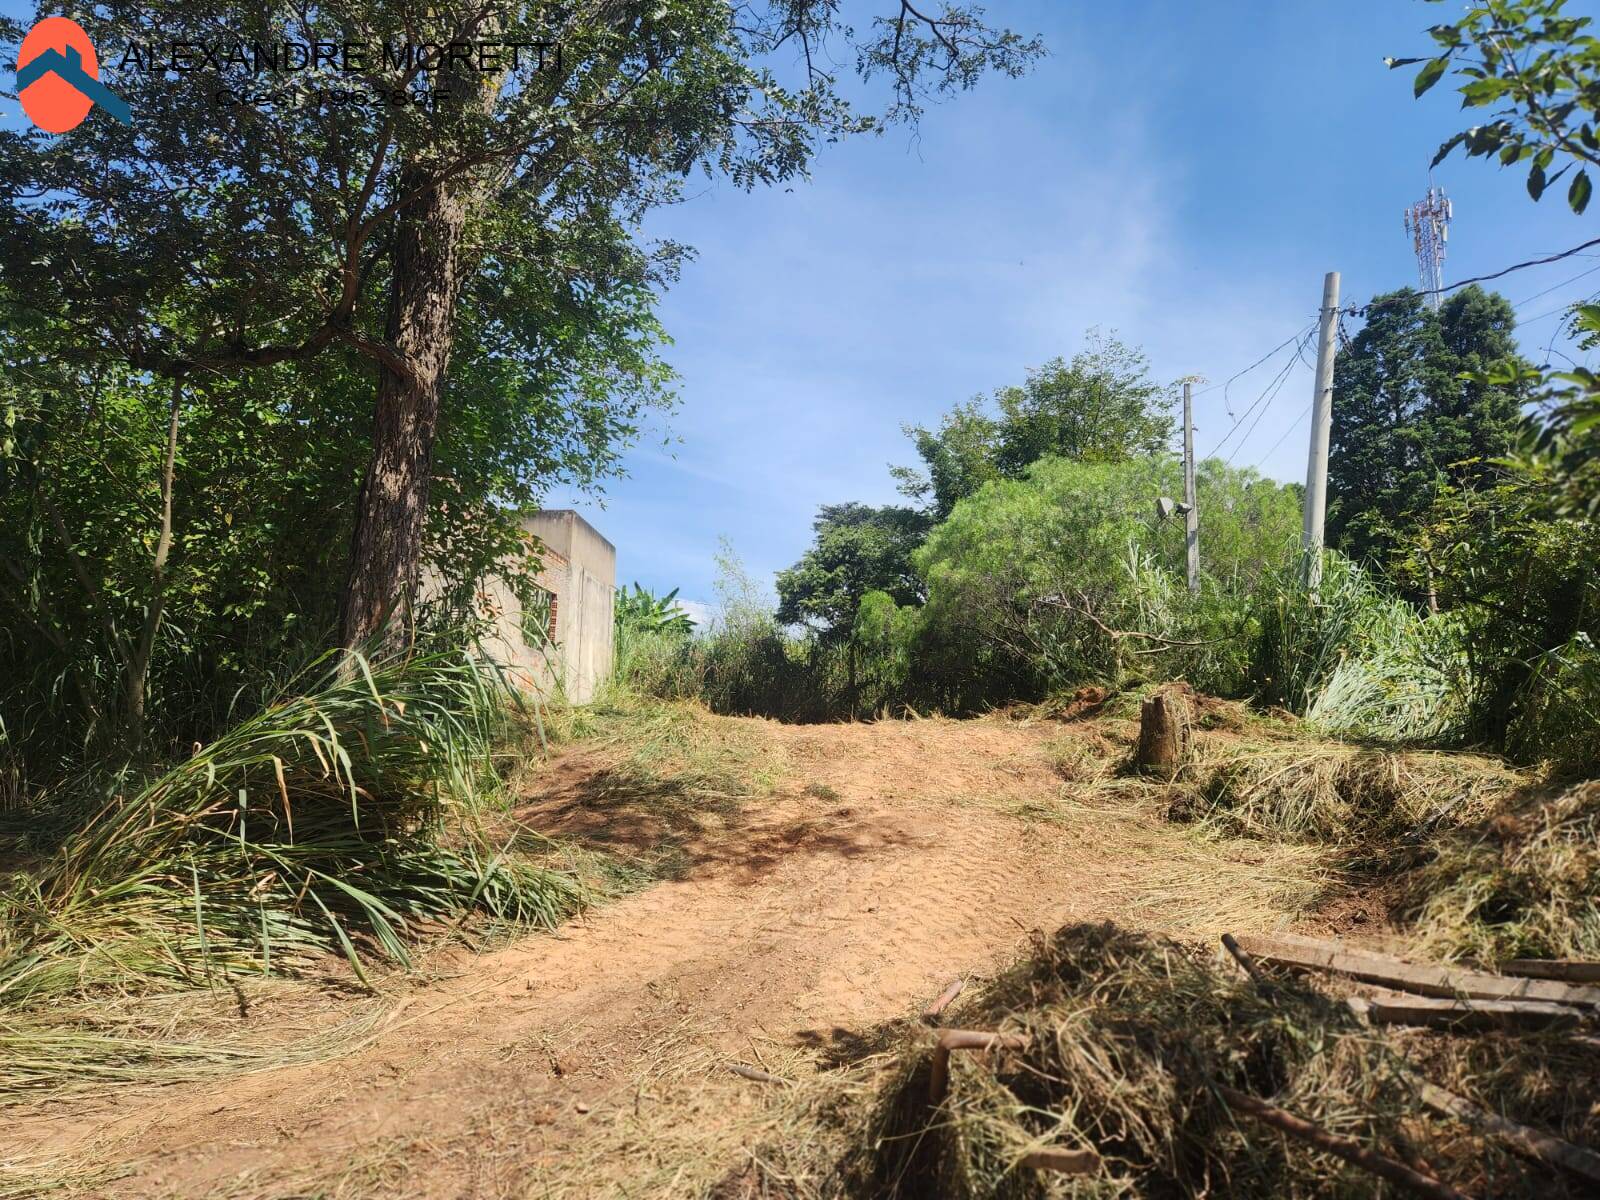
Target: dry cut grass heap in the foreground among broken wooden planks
(1129, 1041)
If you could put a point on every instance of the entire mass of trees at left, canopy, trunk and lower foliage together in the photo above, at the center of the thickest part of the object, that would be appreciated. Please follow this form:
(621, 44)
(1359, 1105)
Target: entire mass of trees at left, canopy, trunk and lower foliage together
(294, 342)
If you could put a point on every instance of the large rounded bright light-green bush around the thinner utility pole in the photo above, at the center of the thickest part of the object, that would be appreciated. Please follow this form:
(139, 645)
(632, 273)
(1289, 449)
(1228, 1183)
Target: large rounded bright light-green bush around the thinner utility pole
(1068, 577)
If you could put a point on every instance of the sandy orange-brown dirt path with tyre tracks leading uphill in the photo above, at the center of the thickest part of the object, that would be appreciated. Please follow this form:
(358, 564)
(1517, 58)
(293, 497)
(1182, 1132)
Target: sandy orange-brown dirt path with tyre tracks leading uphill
(890, 860)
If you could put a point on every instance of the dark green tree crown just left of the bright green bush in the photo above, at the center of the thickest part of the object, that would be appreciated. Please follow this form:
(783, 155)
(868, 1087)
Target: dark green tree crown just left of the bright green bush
(858, 550)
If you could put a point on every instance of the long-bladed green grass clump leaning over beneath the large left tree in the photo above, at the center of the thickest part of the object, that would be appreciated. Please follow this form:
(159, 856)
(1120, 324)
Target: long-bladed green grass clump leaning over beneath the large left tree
(338, 820)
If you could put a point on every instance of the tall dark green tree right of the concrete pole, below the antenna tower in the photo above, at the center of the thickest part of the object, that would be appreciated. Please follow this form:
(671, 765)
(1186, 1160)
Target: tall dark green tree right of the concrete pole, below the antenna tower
(1412, 417)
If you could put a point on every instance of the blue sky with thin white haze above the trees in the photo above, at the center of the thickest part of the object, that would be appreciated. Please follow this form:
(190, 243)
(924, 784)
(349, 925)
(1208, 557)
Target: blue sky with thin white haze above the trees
(1182, 174)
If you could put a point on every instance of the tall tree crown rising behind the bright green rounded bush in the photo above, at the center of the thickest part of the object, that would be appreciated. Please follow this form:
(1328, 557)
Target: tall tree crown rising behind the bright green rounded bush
(1100, 407)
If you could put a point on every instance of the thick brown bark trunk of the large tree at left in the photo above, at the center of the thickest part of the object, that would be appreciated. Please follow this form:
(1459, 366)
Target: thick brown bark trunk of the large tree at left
(386, 553)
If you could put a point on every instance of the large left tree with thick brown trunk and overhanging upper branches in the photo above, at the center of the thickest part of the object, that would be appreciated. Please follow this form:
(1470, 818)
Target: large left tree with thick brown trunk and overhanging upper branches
(222, 233)
